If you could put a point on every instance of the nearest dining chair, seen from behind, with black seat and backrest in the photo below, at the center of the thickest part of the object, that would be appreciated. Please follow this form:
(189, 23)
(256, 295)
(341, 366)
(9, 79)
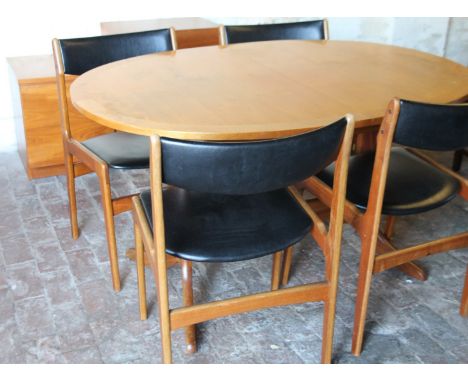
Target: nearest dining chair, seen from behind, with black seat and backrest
(228, 202)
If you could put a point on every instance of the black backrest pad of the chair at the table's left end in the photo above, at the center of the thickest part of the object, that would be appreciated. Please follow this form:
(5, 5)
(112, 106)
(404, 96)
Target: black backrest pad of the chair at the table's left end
(82, 54)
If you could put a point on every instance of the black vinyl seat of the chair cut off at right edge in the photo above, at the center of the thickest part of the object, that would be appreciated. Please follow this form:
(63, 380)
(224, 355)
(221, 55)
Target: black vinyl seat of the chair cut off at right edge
(413, 186)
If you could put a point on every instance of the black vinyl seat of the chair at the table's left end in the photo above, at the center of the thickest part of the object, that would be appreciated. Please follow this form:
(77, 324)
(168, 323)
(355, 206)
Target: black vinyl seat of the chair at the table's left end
(121, 150)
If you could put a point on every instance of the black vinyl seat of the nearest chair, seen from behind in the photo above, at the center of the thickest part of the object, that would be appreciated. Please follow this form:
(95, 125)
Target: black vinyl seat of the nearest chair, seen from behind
(224, 228)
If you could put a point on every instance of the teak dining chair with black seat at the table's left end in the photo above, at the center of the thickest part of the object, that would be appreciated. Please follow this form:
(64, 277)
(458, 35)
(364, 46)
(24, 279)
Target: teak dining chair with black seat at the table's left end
(103, 148)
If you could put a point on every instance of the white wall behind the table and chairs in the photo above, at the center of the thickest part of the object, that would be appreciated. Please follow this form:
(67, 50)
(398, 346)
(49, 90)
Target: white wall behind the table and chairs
(28, 30)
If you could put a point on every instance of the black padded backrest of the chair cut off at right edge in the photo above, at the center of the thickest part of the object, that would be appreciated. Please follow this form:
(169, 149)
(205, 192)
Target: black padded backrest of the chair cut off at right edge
(432, 127)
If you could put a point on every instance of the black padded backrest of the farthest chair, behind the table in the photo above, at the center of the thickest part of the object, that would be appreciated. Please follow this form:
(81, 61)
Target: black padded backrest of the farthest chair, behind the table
(306, 30)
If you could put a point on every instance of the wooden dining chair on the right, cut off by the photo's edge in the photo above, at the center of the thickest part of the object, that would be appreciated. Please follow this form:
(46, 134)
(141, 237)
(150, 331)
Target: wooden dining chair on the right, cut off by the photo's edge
(401, 181)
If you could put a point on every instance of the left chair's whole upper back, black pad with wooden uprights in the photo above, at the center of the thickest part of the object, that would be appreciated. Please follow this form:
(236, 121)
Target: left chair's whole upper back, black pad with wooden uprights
(78, 55)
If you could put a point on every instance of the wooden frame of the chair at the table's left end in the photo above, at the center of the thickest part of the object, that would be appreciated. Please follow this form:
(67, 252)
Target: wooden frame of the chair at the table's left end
(88, 162)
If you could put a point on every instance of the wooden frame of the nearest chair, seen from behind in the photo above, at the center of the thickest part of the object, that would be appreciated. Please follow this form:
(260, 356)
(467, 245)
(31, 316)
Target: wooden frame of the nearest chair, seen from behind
(186, 317)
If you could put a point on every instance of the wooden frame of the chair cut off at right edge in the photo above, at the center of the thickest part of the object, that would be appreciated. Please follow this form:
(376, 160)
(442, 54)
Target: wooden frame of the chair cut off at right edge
(373, 240)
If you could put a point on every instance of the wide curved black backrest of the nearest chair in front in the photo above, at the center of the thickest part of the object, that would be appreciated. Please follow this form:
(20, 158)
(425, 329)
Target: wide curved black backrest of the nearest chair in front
(243, 168)
